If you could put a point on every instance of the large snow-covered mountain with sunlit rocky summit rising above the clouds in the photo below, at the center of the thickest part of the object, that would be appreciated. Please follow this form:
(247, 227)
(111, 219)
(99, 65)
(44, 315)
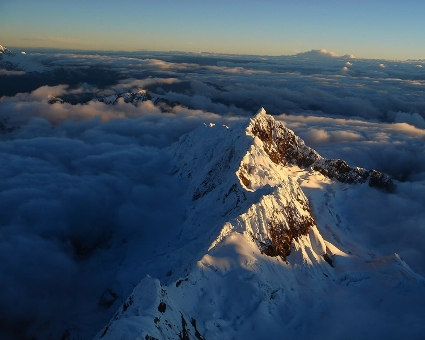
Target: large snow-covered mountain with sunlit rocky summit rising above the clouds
(251, 257)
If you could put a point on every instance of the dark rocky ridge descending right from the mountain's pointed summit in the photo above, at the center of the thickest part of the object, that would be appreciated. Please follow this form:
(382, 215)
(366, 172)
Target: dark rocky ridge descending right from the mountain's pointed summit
(284, 147)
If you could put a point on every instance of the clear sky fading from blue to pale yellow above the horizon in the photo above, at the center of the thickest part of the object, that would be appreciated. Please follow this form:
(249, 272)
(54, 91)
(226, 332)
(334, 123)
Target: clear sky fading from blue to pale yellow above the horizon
(390, 29)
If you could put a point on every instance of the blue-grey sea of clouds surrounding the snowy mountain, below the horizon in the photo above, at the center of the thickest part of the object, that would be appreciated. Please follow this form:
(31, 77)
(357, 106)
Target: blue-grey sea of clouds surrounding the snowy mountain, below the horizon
(82, 179)
